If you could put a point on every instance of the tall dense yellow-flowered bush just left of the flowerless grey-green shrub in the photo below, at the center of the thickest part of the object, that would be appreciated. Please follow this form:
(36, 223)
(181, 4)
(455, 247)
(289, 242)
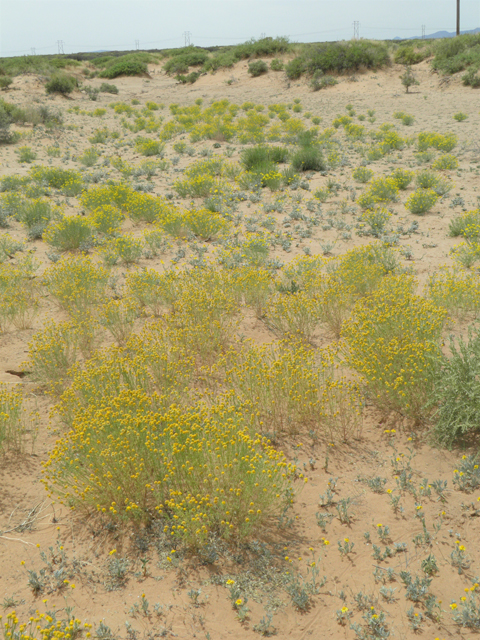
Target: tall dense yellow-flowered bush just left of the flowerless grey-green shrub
(393, 342)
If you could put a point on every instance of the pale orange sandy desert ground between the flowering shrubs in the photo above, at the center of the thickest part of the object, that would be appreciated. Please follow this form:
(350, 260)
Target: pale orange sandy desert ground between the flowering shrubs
(346, 551)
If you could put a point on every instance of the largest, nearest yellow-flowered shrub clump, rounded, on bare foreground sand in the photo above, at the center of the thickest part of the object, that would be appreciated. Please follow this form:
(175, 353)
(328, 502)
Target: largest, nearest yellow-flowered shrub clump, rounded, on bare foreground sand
(198, 469)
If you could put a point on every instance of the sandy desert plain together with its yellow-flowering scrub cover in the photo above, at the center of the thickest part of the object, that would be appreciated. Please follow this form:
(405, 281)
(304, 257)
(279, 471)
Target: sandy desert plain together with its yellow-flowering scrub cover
(187, 344)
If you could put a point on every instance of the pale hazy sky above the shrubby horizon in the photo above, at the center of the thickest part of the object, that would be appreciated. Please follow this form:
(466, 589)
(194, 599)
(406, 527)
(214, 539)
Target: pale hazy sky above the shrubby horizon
(95, 25)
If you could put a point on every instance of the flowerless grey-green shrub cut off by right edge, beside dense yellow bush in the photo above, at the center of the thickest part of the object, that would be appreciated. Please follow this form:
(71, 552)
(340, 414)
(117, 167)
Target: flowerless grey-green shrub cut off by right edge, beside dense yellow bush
(457, 391)
